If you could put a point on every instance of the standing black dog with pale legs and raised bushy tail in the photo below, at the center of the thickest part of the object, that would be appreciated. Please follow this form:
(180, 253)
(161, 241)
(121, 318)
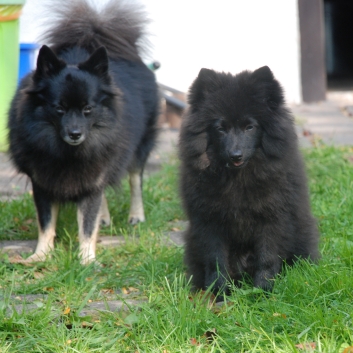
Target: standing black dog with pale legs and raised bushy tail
(84, 117)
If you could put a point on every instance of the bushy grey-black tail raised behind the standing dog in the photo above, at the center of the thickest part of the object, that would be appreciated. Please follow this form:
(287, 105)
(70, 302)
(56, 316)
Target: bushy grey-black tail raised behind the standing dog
(119, 26)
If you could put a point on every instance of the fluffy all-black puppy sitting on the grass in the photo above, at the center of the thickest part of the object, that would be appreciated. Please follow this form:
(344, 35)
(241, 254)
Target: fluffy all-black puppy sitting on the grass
(243, 183)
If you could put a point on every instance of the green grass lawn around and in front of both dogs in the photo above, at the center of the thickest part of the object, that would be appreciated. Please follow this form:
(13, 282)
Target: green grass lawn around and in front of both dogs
(311, 305)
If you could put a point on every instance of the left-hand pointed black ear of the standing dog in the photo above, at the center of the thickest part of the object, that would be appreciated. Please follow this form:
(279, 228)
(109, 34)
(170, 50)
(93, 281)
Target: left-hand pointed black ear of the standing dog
(48, 64)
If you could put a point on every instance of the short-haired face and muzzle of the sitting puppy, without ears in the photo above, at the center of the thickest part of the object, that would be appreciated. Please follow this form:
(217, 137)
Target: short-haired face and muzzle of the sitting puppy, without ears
(235, 142)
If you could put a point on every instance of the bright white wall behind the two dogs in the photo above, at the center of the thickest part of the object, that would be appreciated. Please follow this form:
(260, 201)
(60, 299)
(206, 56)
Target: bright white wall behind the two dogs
(225, 35)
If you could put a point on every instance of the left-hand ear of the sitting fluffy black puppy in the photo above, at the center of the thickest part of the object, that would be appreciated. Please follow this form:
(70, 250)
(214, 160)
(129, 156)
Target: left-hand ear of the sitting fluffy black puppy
(206, 82)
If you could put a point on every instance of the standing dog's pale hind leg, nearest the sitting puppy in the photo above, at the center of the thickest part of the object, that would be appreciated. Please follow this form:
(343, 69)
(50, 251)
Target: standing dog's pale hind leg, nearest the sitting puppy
(137, 213)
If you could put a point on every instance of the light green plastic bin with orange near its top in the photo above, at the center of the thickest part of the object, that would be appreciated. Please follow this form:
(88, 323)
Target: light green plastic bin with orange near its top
(10, 11)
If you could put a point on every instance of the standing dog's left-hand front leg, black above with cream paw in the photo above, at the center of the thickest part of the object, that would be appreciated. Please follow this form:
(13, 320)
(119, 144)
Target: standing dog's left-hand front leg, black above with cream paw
(47, 213)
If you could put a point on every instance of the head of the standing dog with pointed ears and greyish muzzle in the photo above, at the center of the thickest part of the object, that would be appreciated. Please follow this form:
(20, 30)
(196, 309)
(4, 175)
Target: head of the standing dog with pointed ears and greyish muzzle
(73, 99)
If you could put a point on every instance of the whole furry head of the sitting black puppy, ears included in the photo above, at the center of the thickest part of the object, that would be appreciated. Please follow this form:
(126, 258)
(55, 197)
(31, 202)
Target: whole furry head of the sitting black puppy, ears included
(231, 118)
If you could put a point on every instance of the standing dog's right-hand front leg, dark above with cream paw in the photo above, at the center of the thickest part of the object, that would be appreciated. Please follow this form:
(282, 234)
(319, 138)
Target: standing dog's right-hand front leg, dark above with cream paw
(88, 217)
